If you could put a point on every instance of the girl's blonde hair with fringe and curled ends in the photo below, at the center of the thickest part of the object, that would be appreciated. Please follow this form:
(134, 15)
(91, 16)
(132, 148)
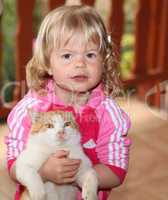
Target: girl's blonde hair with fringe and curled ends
(57, 28)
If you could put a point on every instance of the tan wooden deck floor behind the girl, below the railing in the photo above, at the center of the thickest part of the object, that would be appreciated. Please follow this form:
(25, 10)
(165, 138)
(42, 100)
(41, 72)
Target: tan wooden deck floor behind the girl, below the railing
(147, 177)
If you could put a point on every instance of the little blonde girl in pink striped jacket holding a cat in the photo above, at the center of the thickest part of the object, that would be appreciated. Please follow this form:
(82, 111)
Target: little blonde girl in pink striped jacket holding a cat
(73, 69)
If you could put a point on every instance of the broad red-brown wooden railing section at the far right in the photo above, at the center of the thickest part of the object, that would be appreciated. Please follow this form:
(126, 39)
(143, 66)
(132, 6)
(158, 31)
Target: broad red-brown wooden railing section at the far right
(151, 64)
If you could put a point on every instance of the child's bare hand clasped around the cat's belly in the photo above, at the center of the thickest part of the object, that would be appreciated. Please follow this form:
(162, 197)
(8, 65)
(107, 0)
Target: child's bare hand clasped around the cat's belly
(59, 168)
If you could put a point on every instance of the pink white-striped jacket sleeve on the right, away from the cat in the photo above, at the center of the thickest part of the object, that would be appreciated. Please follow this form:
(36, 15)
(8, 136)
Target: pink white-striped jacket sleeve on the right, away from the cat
(112, 143)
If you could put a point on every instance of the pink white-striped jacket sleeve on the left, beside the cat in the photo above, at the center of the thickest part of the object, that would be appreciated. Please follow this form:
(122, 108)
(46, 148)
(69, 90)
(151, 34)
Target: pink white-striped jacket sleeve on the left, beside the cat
(19, 125)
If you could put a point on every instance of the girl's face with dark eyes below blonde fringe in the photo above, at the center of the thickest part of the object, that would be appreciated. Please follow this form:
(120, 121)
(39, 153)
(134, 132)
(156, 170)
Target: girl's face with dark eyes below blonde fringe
(76, 66)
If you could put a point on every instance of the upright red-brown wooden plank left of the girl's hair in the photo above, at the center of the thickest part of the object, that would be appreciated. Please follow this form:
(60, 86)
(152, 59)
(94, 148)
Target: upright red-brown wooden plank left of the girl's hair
(24, 39)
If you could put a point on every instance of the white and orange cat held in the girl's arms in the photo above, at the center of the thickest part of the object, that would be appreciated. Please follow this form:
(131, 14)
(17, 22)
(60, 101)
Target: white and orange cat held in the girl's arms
(52, 131)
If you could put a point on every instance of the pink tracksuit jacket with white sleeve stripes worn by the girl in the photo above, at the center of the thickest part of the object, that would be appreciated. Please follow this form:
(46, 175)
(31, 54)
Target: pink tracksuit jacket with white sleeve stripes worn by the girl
(103, 126)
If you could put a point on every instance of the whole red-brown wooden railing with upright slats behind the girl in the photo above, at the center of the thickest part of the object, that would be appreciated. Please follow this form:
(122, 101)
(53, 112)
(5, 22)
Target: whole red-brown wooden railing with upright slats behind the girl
(151, 44)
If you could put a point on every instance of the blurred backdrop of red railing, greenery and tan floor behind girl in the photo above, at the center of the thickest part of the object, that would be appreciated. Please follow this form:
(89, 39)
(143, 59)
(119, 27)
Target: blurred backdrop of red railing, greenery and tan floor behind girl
(139, 31)
